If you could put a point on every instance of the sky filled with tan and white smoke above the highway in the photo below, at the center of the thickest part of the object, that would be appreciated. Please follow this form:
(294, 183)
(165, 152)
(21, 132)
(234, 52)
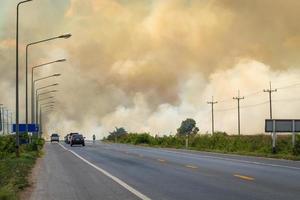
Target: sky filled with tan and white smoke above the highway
(146, 65)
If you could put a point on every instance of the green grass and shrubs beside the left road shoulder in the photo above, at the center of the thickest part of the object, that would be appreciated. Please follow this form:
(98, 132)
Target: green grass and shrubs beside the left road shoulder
(14, 171)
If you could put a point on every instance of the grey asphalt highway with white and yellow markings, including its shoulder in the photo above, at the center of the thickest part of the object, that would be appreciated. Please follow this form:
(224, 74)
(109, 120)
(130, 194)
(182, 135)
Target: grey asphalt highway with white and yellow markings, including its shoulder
(113, 171)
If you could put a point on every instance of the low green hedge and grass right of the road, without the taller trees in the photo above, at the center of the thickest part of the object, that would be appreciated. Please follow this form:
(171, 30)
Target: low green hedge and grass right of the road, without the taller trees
(220, 142)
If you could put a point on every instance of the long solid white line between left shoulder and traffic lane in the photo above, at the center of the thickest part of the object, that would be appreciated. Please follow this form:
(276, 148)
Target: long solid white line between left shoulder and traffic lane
(117, 180)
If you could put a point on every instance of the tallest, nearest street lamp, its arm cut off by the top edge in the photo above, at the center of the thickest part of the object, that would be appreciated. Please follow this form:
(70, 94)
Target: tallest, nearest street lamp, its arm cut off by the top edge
(17, 78)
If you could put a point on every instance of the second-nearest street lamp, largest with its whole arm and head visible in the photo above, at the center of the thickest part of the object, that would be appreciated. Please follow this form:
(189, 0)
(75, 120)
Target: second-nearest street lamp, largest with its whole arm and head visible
(65, 36)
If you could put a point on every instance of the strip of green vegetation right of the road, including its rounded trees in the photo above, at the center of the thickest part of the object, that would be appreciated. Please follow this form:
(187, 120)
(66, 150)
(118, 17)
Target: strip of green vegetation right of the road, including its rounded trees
(253, 145)
